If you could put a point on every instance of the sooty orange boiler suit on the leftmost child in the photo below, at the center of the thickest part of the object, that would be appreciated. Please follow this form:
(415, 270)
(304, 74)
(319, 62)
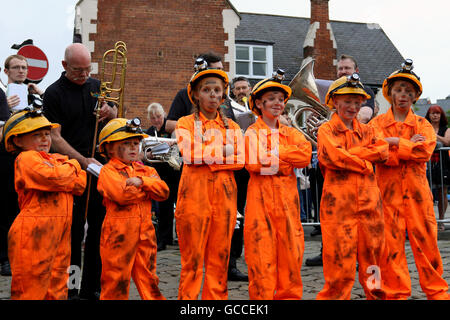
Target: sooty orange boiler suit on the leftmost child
(39, 238)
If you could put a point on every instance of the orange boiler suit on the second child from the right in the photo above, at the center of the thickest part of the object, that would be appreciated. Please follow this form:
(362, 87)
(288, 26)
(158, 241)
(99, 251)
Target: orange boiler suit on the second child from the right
(351, 215)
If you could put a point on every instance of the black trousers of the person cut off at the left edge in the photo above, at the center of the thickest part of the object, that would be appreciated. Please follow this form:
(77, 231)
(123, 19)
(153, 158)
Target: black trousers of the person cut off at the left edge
(9, 202)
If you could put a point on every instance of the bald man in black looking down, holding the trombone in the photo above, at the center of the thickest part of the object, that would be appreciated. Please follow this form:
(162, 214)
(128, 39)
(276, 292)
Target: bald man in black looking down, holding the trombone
(69, 102)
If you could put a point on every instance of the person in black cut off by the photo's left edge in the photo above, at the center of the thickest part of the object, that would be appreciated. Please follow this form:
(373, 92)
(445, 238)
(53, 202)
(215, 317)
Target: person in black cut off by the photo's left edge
(9, 194)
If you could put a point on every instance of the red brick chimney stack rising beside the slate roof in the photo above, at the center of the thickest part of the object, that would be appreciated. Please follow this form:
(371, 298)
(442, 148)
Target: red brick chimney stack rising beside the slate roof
(320, 42)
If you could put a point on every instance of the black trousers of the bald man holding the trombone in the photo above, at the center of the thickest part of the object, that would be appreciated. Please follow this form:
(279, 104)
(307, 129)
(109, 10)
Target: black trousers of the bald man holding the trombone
(92, 266)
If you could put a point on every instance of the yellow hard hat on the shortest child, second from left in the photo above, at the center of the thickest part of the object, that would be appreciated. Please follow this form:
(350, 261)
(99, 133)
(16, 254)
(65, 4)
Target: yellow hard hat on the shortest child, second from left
(120, 129)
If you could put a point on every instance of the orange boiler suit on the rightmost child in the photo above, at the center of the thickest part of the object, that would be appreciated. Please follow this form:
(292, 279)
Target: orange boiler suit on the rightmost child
(408, 206)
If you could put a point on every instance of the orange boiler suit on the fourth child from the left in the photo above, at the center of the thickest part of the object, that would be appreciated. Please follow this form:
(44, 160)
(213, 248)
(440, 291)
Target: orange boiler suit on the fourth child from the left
(273, 233)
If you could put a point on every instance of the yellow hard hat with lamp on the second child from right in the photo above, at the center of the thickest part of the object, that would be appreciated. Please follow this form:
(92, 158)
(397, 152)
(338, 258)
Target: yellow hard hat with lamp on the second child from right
(345, 85)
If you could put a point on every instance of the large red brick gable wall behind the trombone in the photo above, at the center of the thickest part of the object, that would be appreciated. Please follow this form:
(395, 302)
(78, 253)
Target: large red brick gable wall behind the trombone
(162, 38)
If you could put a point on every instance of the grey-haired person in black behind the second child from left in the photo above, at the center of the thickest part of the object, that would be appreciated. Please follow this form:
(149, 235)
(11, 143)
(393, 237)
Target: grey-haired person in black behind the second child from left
(165, 210)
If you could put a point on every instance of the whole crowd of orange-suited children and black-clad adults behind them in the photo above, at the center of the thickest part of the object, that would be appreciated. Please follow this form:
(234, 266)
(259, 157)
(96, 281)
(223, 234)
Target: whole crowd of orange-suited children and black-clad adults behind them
(239, 189)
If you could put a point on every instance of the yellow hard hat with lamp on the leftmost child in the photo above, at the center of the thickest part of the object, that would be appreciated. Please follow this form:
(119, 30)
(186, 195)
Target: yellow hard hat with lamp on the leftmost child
(25, 121)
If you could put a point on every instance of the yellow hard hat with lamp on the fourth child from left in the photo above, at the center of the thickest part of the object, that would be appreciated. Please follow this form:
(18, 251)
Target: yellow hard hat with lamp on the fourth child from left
(269, 84)
